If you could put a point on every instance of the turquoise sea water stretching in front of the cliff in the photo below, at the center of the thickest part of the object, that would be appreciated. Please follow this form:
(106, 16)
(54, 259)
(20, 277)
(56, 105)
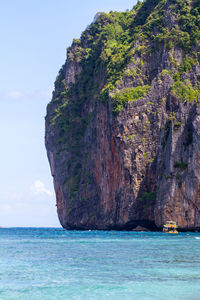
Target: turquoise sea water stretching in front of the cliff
(41, 263)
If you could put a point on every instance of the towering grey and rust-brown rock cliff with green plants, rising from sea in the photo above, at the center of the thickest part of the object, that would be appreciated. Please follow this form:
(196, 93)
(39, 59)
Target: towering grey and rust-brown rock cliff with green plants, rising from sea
(123, 126)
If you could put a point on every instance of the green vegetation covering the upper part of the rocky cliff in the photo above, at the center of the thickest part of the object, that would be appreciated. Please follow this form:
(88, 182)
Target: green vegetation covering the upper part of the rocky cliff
(116, 39)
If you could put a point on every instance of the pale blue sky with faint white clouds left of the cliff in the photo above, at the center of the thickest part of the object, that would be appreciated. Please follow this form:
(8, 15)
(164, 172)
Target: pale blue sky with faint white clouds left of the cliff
(34, 37)
